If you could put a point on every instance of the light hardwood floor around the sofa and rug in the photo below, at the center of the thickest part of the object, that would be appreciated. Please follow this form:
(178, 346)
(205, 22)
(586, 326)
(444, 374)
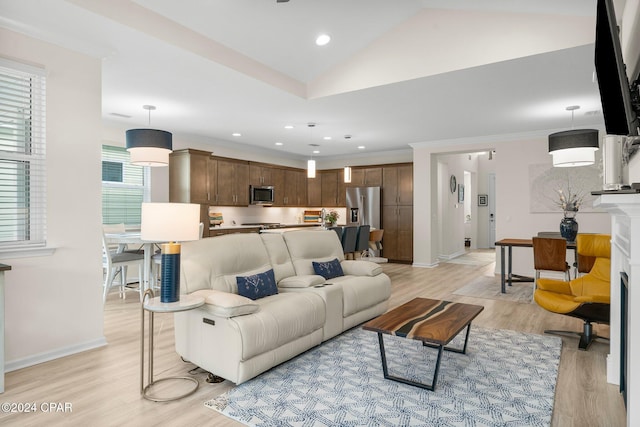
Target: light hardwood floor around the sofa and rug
(102, 385)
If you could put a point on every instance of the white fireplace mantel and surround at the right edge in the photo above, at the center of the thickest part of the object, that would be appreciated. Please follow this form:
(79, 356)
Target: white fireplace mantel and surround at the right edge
(625, 257)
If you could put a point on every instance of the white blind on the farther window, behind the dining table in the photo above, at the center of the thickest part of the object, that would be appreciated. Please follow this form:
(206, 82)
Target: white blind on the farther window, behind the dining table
(124, 187)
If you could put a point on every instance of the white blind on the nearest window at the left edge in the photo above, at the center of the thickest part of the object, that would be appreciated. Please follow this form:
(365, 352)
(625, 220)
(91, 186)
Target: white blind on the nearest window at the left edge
(22, 157)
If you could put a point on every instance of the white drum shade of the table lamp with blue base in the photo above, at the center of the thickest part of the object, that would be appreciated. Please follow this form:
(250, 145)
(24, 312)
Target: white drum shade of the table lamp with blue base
(170, 222)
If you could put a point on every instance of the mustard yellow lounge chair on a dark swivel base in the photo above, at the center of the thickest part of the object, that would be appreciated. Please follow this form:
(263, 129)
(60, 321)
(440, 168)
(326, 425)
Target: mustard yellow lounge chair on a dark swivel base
(585, 297)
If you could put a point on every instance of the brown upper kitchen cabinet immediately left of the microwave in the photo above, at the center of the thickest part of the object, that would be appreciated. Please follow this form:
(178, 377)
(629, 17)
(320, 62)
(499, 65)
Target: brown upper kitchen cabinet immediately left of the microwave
(232, 183)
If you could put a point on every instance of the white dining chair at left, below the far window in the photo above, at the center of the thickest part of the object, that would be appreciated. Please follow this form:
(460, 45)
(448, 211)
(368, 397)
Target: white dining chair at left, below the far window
(115, 264)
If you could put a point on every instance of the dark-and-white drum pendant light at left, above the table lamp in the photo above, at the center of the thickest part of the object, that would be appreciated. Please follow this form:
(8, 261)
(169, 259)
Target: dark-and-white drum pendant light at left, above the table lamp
(149, 147)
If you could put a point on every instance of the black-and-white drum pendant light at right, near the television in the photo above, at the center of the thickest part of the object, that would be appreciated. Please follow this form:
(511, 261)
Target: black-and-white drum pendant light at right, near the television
(575, 147)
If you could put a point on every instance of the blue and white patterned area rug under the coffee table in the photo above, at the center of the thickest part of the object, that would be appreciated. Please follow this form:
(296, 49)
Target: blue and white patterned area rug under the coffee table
(506, 378)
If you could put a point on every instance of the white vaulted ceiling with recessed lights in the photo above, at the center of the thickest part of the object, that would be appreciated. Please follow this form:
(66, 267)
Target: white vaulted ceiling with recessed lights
(395, 73)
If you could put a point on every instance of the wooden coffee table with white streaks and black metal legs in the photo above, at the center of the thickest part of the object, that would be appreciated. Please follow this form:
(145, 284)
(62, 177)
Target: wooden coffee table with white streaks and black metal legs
(433, 322)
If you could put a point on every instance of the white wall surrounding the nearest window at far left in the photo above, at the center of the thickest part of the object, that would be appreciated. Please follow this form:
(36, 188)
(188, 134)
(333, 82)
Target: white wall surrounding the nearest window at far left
(53, 304)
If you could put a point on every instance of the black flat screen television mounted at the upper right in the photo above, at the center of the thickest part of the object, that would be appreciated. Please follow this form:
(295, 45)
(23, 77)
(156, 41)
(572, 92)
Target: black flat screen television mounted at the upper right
(615, 94)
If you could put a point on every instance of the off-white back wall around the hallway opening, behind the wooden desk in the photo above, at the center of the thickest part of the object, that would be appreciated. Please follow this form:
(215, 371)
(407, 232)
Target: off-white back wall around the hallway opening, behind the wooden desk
(513, 155)
